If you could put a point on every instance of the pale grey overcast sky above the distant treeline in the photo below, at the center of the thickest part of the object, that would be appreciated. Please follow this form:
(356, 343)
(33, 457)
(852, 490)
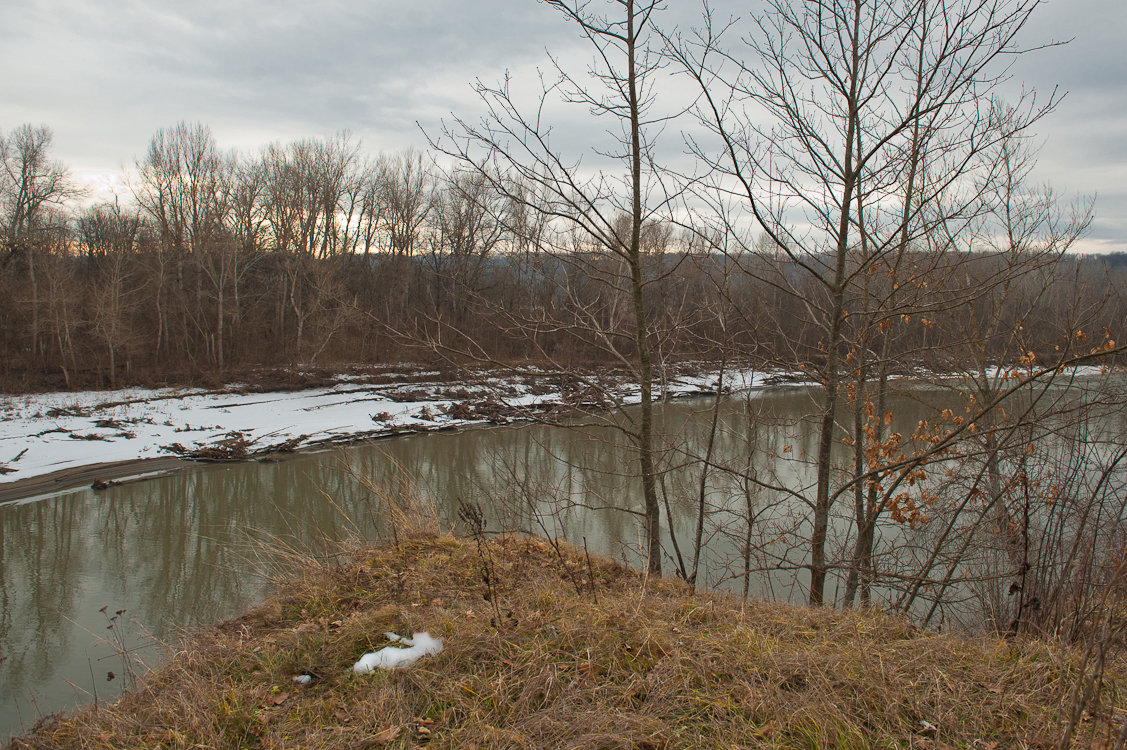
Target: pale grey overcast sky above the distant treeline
(107, 74)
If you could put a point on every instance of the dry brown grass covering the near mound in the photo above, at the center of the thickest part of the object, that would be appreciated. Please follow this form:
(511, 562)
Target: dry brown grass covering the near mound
(650, 666)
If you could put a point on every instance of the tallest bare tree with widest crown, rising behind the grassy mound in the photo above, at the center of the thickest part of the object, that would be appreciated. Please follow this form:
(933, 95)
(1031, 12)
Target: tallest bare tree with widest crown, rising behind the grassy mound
(847, 126)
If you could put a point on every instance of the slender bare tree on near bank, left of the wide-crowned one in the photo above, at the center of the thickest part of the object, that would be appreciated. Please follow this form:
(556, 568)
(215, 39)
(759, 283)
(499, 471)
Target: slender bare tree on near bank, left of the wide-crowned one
(598, 217)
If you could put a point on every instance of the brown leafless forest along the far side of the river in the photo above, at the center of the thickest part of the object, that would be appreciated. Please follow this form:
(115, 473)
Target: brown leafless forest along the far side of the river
(316, 254)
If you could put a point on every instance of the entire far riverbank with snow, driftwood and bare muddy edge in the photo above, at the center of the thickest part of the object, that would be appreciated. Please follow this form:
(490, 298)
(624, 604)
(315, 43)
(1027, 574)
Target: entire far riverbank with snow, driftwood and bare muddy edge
(58, 442)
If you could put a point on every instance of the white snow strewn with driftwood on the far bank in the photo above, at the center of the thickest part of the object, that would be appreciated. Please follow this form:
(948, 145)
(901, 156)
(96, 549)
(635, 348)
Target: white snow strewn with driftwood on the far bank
(46, 434)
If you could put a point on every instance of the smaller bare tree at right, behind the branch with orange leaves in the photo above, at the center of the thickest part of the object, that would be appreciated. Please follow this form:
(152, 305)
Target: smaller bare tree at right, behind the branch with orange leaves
(1002, 347)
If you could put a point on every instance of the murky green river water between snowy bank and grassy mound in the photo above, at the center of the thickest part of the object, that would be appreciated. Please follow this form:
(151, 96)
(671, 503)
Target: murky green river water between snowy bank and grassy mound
(184, 550)
